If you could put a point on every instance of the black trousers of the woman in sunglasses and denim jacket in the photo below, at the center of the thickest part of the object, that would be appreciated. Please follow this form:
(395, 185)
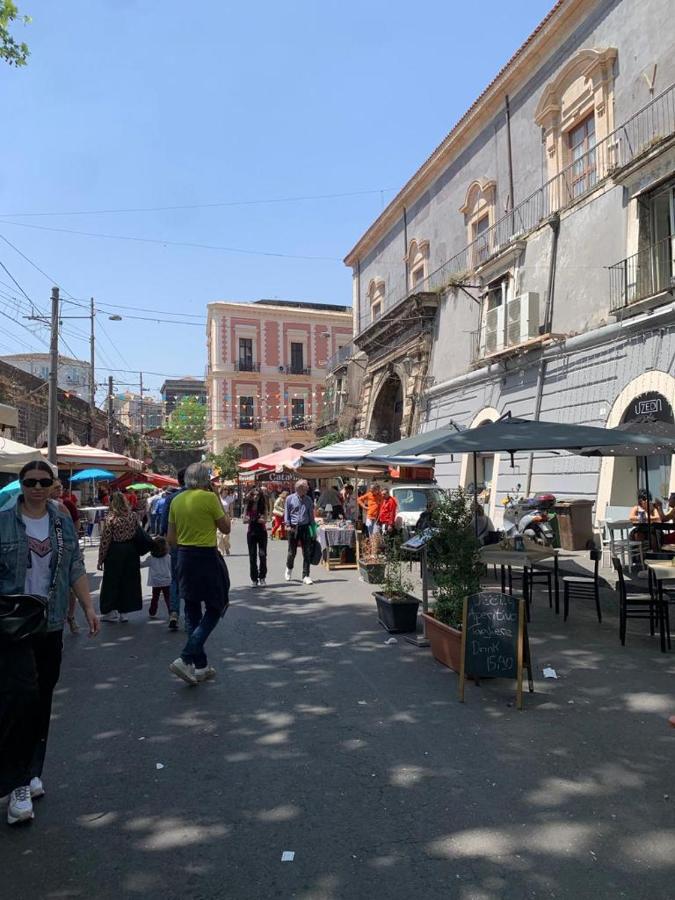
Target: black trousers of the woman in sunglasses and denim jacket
(29, 672)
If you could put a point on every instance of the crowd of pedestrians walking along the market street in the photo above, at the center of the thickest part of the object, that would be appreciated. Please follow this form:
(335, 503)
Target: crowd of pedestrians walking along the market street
(181, 536)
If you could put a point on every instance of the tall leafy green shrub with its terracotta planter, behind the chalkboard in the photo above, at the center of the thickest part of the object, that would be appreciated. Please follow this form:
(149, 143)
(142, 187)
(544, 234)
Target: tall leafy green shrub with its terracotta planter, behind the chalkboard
(453, 559)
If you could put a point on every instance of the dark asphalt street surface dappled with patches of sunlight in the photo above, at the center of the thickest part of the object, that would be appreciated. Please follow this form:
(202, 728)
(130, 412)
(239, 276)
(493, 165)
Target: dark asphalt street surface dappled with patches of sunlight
(320, 739)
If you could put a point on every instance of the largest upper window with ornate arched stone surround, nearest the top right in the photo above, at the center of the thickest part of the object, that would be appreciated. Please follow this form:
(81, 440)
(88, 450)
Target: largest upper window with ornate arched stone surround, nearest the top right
(576, 112)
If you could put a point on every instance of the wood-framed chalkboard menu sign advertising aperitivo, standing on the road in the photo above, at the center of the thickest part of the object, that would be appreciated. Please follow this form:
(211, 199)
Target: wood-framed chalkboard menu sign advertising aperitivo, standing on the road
(494, 640)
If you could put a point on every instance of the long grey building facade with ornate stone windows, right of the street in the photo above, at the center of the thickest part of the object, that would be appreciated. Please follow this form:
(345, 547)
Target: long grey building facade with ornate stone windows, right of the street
(543, 230)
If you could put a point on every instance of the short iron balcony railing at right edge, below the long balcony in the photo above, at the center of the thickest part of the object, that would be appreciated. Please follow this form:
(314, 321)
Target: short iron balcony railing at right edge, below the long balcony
(648, 272)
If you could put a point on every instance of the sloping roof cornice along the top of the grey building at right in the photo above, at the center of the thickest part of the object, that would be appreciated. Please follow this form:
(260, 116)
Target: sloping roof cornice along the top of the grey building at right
(554, 28)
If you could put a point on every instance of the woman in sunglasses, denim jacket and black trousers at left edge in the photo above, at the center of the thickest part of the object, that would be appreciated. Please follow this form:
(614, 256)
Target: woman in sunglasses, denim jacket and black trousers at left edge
(39, 555)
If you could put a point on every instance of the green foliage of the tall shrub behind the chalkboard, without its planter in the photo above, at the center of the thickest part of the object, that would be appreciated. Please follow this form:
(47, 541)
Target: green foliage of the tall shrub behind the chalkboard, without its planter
(453, 556)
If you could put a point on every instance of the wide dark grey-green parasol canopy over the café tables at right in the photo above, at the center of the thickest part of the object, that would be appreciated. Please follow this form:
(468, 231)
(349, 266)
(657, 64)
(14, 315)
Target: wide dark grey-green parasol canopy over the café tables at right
(511, 435)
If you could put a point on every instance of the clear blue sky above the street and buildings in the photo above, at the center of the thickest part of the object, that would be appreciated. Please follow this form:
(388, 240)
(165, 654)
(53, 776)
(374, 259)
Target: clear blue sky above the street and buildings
(129, 104)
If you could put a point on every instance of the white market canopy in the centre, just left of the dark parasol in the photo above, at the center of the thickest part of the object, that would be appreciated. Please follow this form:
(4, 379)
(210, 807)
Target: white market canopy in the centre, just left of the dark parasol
(355, 455)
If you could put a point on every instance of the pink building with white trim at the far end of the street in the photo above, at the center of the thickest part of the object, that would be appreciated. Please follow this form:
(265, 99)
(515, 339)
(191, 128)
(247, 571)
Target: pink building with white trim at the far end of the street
(267, 371)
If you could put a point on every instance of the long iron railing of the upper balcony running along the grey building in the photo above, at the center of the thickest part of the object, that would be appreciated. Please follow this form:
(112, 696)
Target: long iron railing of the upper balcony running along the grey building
(643, 131)
